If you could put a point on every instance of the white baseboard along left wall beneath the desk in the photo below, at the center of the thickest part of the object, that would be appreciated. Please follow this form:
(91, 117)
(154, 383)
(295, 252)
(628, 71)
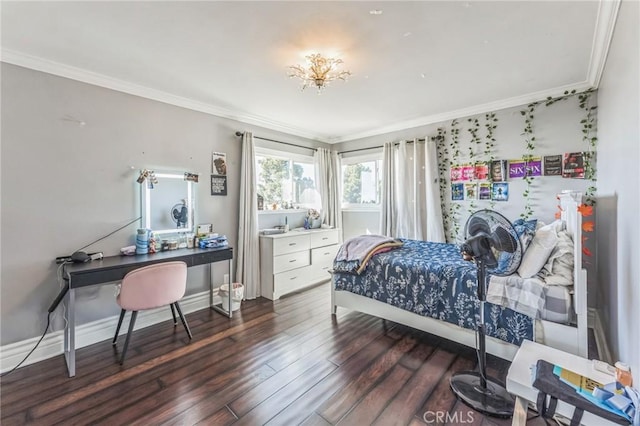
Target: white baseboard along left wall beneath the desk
(87, 334)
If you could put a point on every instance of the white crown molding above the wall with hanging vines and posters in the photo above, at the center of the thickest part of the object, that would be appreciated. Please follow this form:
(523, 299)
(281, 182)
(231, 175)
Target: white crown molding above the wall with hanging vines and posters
(469, 111)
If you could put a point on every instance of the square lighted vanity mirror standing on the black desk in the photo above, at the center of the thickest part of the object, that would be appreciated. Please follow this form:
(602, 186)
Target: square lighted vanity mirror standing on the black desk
(168, 203)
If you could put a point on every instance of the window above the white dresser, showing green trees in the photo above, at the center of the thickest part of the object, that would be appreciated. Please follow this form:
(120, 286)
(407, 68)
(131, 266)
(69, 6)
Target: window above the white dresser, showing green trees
(285, 180)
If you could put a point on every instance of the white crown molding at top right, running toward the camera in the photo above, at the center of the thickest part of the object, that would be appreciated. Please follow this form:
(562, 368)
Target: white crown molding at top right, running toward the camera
(602, 35)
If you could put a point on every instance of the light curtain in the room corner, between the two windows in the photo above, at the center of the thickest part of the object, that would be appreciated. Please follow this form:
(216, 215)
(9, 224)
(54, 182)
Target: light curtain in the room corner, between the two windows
(327, 165)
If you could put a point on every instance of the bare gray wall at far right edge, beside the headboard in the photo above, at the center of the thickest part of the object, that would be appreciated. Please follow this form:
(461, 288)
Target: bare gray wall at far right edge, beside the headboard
(619, 189)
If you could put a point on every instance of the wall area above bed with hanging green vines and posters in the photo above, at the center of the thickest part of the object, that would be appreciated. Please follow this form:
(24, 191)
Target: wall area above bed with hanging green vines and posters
(516, 161)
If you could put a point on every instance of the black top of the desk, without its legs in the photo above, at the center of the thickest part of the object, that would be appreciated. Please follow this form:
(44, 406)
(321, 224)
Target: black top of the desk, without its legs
(114, 268)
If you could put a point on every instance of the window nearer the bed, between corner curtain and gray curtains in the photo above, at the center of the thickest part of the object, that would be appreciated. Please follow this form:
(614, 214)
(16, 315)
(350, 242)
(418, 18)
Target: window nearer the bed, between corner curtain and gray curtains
(361, 181)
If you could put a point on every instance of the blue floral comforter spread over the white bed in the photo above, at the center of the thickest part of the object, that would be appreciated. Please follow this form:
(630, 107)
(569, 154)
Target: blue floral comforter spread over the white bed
(432, 279)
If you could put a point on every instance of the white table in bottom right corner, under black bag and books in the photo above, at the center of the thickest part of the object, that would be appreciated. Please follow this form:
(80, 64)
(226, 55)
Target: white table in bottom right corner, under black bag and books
(519, 380)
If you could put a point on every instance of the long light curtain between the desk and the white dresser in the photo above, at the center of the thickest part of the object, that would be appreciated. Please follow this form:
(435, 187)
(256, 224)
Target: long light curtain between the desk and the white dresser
(248, 254)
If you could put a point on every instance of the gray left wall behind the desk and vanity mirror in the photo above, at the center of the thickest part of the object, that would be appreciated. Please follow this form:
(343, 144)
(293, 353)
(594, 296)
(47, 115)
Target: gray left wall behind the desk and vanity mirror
(65, 185)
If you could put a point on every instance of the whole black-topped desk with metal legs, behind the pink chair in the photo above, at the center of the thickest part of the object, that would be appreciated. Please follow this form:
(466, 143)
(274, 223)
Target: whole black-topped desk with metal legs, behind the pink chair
(114, 268)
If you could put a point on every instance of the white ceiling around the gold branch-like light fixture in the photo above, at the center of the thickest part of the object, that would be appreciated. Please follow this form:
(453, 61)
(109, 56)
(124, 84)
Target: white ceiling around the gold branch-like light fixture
(416, 63)
